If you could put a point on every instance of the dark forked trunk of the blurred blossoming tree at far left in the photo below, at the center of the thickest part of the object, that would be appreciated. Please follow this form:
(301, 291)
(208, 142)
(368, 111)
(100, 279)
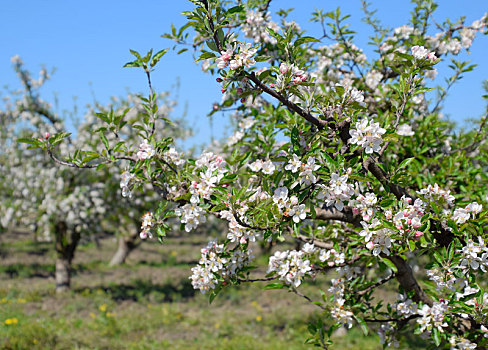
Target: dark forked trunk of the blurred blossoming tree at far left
(65, 249)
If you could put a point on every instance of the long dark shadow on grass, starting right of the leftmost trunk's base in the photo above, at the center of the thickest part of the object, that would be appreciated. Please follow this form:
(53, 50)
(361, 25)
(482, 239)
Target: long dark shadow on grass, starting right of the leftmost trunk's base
(140, 290)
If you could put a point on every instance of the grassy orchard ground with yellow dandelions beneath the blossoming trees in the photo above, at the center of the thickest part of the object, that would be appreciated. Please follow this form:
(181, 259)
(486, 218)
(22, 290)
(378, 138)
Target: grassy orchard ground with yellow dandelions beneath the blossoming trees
(148, 303)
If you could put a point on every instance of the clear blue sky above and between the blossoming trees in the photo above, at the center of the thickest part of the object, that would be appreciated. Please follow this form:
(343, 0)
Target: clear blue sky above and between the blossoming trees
(88, 42)
